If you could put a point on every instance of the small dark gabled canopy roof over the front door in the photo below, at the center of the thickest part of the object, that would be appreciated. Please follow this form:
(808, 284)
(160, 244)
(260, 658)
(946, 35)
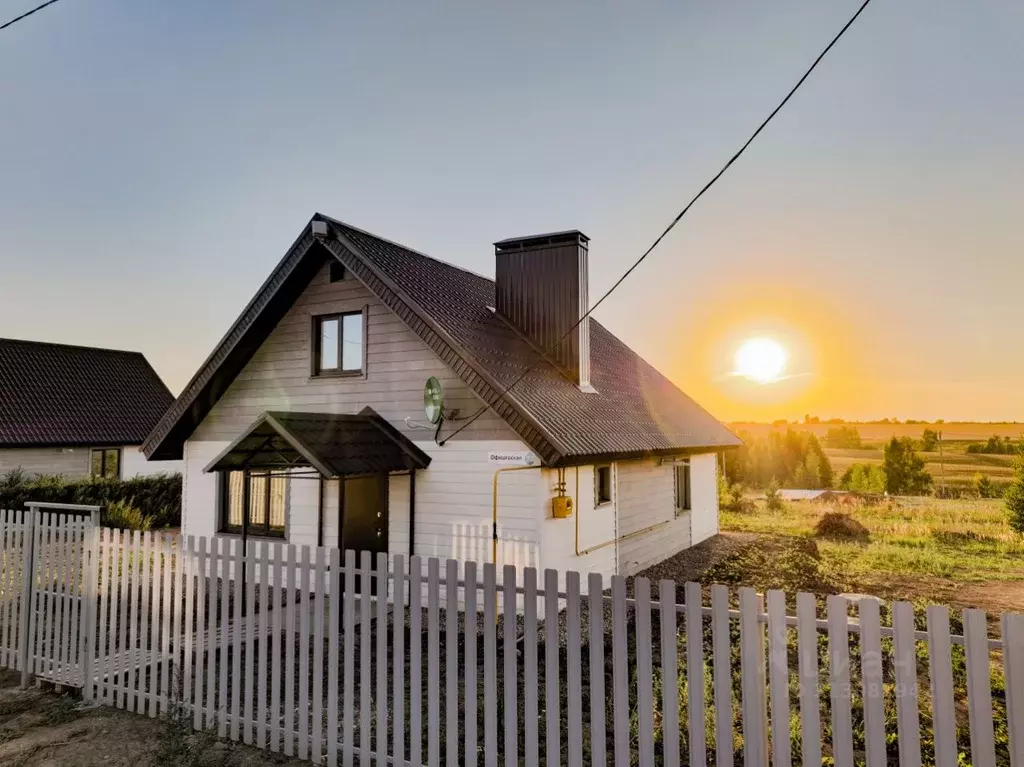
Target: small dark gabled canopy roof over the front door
(334, 445)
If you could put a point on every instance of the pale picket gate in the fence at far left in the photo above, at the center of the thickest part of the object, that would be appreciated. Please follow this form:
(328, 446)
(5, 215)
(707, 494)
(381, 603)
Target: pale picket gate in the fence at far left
(59, 557)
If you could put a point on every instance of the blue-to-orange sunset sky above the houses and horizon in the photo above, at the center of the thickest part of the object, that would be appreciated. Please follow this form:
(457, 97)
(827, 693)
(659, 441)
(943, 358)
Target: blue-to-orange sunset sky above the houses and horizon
(160, 158)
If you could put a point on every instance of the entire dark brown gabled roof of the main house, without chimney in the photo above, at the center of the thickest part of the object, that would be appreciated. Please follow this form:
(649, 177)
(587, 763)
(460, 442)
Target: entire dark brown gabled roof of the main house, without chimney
(636, 411)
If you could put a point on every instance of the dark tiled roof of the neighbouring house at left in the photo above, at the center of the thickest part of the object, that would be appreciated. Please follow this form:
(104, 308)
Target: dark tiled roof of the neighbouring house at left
(59, 396)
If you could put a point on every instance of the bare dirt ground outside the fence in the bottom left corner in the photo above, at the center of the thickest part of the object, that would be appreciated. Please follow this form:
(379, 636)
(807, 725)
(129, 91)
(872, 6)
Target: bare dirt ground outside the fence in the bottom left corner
(41, 729)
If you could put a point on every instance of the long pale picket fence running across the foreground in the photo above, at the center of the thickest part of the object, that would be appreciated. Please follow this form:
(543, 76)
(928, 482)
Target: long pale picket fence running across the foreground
(308, 659)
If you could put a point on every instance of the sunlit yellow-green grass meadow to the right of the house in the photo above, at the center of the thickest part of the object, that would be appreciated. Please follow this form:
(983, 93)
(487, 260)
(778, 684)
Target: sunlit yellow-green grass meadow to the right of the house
(964, 541)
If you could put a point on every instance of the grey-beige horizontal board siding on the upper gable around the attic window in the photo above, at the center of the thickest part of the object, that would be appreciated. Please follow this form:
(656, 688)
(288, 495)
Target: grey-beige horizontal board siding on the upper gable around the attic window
(278, 377)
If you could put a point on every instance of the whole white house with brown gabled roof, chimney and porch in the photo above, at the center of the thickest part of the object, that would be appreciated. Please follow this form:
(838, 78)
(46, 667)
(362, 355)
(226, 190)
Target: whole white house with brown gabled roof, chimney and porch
(308, 423)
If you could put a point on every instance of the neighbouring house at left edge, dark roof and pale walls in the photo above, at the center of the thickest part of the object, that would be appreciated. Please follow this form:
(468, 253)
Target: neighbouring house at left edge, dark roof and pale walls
(78, 411)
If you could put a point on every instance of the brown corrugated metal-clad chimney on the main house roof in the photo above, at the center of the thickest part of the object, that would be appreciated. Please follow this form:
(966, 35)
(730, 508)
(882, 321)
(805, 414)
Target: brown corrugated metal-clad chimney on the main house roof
(541, 288)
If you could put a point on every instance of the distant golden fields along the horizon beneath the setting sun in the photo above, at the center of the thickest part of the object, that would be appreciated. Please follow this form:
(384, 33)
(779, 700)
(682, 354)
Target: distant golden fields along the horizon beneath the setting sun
(955, 462)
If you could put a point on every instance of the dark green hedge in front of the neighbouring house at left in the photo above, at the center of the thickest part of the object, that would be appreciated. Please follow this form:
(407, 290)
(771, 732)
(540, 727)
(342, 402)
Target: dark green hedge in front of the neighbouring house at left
(158, 496)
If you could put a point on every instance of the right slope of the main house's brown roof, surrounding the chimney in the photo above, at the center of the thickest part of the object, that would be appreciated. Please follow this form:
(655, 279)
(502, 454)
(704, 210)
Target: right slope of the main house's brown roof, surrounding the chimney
(636, 410)
